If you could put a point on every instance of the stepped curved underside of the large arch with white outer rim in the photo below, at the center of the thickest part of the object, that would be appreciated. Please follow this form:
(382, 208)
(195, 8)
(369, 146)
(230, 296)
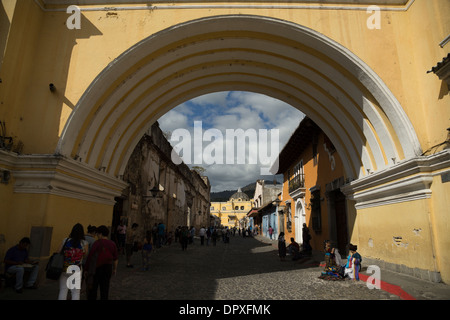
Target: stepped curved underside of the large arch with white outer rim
(247, 53)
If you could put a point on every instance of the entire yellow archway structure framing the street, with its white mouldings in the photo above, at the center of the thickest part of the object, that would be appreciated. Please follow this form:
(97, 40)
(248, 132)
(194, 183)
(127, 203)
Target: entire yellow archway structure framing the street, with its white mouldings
(80, 85)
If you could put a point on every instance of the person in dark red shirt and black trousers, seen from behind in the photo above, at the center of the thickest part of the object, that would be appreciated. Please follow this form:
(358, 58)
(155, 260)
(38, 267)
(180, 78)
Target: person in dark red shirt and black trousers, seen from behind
(101, 265)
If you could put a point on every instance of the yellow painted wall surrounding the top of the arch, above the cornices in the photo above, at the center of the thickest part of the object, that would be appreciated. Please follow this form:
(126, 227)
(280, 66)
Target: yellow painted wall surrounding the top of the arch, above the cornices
(400, 53)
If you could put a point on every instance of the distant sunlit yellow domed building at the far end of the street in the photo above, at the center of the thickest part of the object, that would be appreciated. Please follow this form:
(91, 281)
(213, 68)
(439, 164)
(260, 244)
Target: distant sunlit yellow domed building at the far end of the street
(232, 211)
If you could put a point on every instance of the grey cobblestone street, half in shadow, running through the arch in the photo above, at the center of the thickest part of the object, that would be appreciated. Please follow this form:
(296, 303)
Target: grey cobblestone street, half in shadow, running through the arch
(244, 269)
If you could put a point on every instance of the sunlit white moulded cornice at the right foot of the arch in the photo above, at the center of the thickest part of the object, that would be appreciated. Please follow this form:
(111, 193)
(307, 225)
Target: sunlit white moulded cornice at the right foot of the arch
(406, 181)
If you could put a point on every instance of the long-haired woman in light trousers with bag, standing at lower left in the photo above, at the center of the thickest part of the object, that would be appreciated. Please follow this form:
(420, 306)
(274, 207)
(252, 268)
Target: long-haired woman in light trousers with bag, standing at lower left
(75, 248)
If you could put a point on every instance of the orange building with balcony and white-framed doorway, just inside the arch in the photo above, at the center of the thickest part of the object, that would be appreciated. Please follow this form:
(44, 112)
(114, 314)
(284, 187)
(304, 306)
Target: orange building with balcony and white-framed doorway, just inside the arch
(312, 176)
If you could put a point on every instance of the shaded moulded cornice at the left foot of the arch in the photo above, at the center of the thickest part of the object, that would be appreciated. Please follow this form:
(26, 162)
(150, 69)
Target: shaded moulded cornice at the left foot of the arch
(57, 175)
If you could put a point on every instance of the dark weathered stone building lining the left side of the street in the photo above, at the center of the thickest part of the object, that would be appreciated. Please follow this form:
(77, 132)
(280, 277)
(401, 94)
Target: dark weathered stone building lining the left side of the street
(161, 191)
